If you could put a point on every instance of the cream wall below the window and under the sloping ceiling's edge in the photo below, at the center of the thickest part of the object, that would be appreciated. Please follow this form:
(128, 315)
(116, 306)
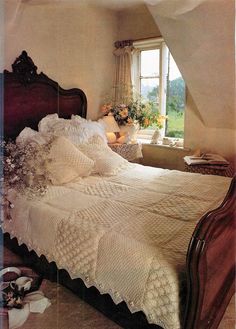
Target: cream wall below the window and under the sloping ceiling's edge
(197, 137)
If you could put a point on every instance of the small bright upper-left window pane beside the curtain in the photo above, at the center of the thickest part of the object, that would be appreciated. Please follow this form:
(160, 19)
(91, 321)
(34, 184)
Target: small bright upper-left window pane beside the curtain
(150, 63)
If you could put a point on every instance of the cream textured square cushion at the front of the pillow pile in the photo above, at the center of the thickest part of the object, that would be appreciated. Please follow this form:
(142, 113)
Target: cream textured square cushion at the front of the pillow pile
(66, 162)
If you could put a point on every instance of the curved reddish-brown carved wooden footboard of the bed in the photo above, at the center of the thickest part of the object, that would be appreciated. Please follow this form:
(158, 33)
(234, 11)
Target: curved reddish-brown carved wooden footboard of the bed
(211, 265)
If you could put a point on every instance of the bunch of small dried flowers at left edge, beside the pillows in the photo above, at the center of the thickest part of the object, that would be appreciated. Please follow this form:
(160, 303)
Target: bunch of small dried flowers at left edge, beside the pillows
(24, 168)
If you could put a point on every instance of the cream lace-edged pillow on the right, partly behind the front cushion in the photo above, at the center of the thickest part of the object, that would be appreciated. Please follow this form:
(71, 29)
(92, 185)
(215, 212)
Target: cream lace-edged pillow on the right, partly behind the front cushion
(107, 162)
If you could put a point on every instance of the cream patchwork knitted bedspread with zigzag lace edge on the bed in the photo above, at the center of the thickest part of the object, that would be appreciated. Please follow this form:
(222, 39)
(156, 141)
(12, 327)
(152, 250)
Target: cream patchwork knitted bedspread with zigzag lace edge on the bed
(127, 234)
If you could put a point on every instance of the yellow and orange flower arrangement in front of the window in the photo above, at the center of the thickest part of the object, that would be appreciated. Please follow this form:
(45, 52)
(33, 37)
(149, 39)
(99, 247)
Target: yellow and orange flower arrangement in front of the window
(135, 111)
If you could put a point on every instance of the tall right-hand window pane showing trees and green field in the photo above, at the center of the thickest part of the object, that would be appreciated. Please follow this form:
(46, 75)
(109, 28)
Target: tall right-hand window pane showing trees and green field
(175, 101)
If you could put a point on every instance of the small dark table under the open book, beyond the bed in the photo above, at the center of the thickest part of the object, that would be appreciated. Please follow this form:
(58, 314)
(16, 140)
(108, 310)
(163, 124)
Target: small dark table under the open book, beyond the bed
(210, 170)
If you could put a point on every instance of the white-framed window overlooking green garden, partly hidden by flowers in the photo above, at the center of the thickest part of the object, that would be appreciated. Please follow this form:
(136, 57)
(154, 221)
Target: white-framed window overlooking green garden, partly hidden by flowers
(157, 78)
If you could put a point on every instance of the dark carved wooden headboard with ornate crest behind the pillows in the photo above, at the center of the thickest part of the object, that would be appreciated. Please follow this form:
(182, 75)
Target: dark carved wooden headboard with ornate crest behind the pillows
(29, 96)
